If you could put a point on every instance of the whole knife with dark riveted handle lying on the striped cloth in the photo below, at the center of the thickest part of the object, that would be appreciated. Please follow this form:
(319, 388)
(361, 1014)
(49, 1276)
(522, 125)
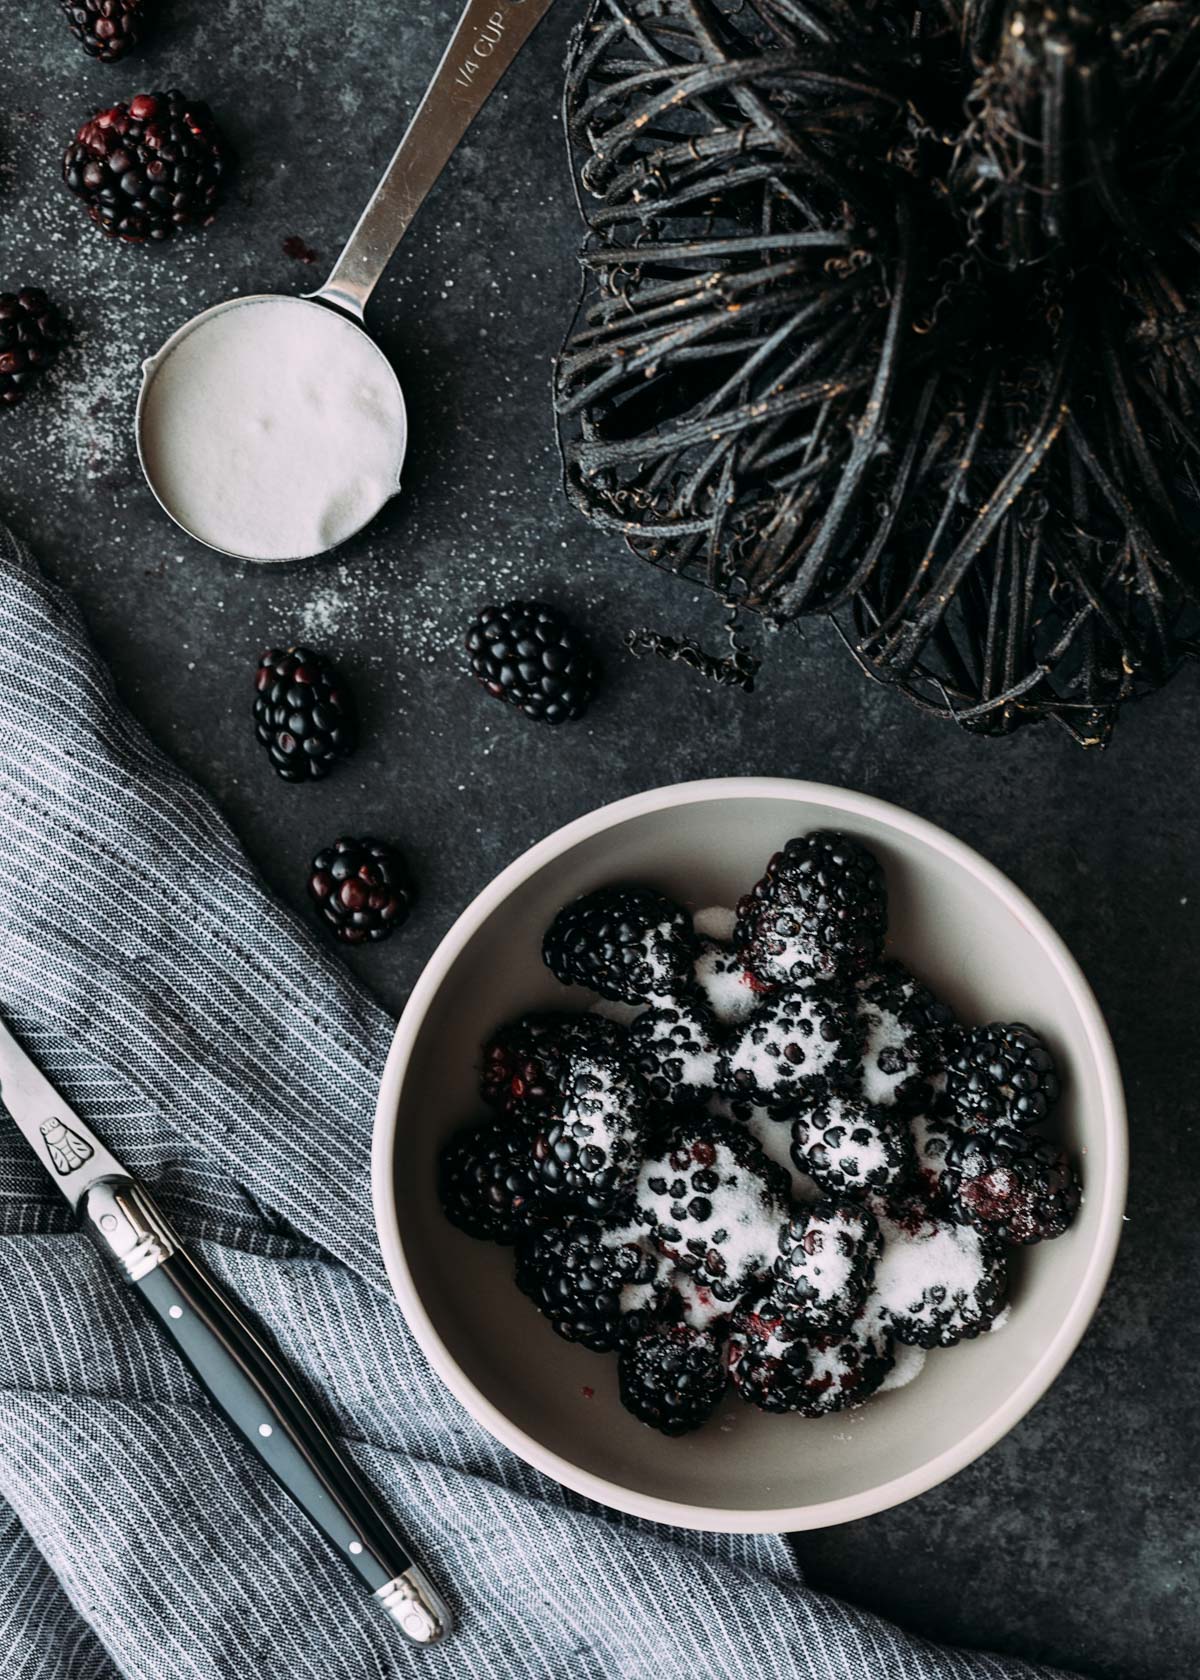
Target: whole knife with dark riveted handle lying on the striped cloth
(231, 1357)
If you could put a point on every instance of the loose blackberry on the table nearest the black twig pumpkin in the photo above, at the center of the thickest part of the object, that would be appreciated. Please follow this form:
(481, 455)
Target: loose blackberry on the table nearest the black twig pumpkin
(530, 656)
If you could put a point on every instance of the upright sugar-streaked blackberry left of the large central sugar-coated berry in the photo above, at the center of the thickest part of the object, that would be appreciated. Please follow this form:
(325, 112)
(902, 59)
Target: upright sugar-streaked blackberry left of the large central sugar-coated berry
(591, 1155)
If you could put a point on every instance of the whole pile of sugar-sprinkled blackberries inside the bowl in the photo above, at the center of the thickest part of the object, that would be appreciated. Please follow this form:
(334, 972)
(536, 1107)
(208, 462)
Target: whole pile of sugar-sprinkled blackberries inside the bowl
(764, 1162)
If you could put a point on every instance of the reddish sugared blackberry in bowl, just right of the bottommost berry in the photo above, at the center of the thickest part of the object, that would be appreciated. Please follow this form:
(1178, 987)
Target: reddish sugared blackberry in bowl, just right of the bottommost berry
(808, 1377)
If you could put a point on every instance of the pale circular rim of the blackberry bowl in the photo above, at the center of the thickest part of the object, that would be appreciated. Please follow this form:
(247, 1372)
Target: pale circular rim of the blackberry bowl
(792, 1518)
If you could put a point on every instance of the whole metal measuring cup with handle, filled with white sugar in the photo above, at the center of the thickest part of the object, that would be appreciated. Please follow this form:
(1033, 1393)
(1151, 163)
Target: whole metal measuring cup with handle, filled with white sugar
(273, 428)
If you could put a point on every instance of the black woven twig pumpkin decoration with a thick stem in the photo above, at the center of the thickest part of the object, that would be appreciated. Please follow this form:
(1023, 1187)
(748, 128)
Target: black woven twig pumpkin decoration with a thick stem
(897, 317)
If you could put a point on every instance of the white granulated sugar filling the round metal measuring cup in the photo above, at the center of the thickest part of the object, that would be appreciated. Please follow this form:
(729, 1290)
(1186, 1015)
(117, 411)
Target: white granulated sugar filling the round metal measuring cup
(275, 429)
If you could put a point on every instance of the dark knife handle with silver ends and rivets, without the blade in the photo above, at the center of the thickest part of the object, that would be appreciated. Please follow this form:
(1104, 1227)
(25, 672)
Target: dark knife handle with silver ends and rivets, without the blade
(248, 1380)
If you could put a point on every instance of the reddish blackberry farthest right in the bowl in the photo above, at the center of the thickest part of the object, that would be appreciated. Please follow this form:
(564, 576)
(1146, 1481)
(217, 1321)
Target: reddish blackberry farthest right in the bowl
(1014, 1187)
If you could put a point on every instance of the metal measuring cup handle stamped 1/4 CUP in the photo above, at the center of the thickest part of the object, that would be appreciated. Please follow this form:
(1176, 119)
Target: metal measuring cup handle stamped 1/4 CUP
(490, 36)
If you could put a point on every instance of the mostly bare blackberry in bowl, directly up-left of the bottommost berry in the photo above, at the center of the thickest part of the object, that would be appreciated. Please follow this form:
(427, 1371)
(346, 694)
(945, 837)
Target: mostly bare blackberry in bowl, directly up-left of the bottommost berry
(577, 1274)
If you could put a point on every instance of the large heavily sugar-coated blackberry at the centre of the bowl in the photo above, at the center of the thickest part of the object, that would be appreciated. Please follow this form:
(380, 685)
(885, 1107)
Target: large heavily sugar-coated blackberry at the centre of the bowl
(715, 1205)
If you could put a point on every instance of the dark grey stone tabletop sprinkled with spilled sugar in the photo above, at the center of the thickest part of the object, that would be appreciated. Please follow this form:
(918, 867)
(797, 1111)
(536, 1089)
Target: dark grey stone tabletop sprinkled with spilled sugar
(1076, 1540)
